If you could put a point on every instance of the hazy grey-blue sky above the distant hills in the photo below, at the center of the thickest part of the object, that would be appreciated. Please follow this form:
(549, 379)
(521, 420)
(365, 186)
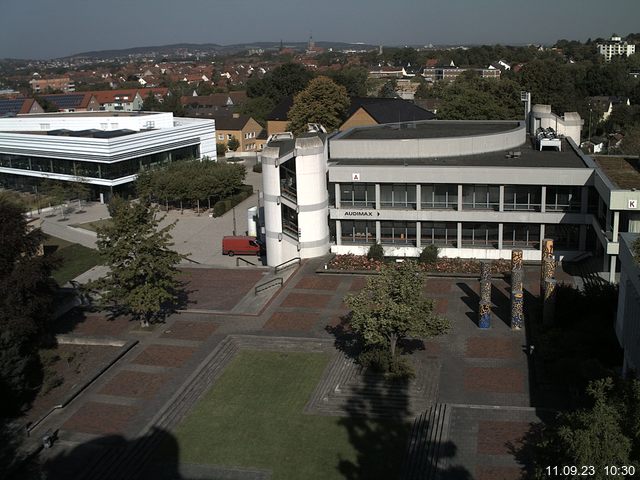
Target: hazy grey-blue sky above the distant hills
(54, 28)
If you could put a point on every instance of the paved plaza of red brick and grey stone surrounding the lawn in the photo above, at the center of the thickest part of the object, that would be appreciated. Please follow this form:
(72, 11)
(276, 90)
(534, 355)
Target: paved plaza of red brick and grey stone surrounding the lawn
(481, 375)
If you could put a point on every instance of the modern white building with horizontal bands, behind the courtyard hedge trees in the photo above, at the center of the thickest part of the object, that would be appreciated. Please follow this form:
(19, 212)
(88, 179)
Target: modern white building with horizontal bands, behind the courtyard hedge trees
(103, 149)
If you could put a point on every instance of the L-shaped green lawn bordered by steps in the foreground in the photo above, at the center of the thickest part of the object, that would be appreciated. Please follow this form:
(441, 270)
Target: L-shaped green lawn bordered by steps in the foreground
(253, 417)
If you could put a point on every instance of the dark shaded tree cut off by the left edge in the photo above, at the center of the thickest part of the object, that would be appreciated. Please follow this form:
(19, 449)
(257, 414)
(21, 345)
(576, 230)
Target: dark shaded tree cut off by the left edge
(26, 302)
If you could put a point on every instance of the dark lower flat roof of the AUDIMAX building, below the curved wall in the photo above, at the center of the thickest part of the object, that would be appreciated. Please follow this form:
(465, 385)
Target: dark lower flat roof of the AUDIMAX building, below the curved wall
(529, 157)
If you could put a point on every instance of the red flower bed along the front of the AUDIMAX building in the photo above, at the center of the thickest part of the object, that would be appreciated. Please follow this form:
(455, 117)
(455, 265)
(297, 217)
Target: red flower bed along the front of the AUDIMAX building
(443, 265)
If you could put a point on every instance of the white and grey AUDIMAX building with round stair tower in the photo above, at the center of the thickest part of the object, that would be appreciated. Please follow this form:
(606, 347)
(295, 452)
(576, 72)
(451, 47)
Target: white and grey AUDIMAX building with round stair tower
(475, 189)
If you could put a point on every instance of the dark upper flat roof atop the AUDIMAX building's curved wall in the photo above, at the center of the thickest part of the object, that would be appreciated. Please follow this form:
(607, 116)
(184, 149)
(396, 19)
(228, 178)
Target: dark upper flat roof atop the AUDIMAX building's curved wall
(428, 129)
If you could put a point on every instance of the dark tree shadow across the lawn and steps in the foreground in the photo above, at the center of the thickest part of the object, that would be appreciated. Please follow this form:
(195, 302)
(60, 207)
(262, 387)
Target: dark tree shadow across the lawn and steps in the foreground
(390, 442)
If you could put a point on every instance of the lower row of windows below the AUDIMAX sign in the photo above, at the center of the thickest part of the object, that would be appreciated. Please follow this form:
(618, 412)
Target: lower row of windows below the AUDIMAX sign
(445, 234)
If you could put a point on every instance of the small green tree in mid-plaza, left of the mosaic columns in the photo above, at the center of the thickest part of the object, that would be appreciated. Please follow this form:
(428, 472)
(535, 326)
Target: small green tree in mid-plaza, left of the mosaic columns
(391, 307)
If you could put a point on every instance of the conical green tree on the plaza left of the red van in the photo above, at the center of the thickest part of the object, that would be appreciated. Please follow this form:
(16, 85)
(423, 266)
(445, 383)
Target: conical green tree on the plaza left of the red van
(142, 278)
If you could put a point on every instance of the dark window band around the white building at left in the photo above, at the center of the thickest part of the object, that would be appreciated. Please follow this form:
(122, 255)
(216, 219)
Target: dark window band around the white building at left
(108, 171)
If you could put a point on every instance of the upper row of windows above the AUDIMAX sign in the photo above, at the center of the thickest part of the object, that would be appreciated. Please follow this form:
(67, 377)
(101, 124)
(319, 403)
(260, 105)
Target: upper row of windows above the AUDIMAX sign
(445, 196)
